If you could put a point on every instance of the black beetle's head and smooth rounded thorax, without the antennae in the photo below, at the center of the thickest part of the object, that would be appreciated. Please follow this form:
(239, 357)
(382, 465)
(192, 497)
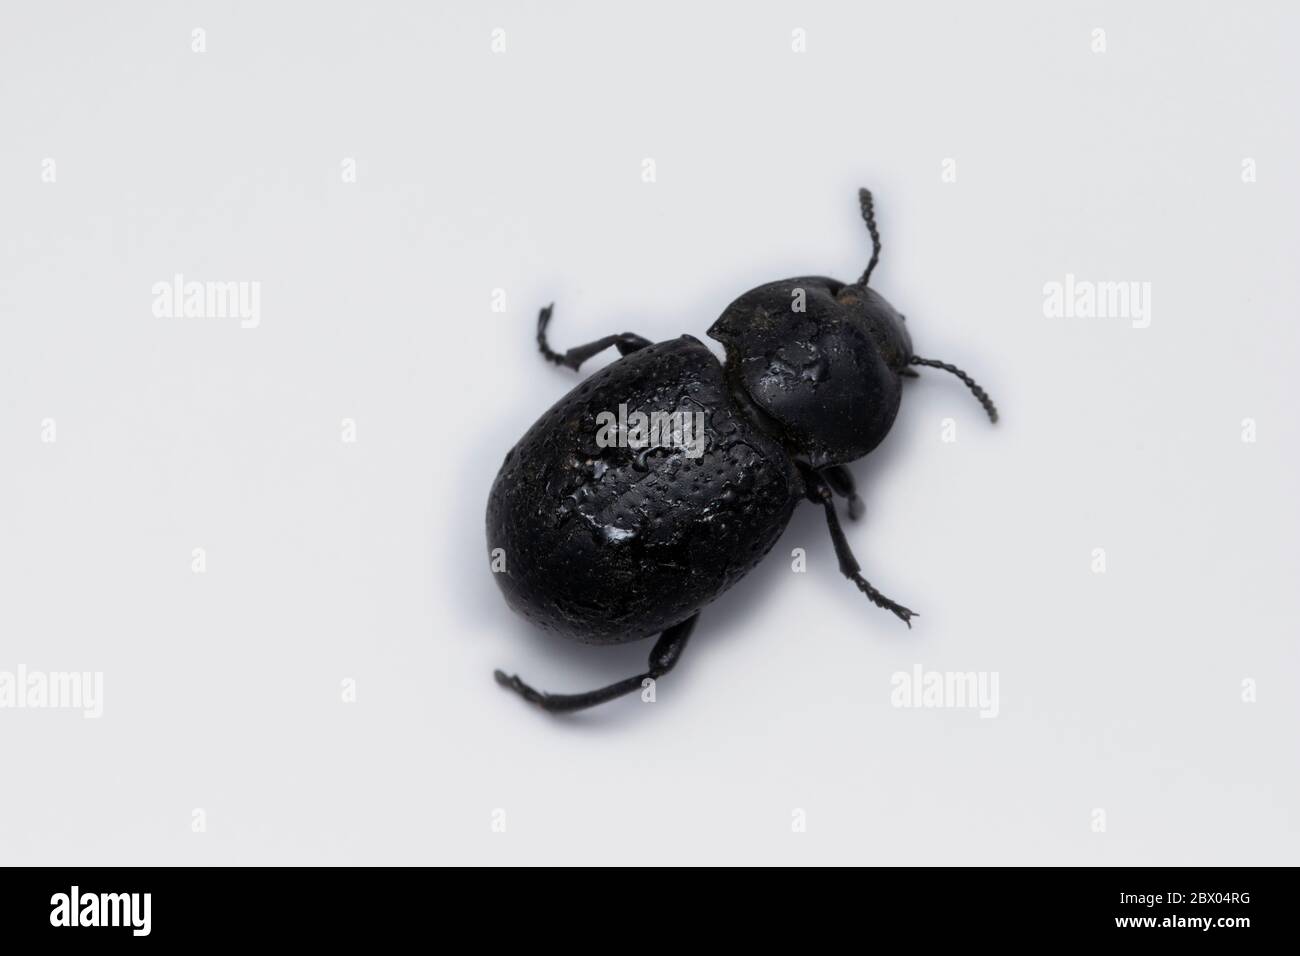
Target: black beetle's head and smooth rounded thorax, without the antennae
(821, 361)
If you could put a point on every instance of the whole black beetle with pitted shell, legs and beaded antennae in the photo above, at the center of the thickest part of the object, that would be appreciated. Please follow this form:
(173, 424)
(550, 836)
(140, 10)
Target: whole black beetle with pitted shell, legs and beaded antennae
(613, 535)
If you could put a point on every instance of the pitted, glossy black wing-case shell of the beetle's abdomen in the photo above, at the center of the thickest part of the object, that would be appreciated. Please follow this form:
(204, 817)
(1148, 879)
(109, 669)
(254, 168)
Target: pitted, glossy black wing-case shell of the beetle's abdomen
(608, 546)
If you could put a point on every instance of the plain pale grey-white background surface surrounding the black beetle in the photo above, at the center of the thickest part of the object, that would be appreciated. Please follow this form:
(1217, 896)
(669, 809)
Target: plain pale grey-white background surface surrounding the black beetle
(523, 171)
